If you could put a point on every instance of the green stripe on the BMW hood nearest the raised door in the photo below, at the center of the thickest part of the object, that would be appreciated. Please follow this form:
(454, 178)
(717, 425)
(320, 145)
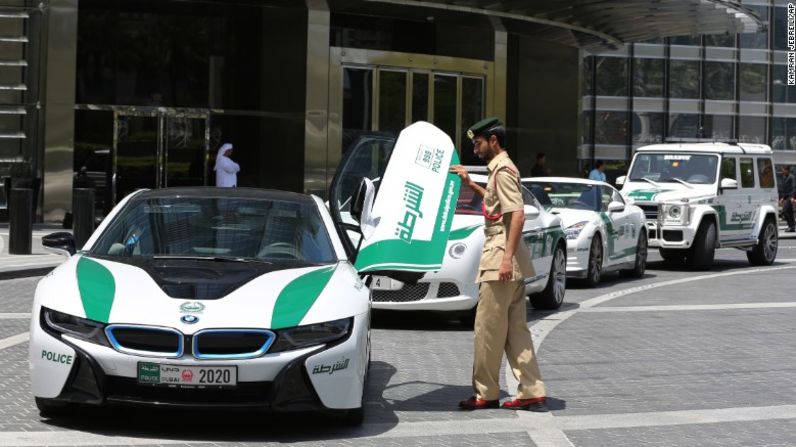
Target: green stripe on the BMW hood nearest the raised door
(298, 296)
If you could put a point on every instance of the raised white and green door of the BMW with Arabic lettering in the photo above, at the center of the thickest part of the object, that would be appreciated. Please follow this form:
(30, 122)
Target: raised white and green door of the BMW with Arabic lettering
(403, 233)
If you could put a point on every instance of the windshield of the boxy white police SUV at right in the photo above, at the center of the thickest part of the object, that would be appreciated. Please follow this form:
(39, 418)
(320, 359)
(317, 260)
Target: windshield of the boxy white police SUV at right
(675, 168)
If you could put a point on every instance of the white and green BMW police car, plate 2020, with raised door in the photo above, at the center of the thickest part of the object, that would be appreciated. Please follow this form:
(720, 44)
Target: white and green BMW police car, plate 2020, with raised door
(233, 297)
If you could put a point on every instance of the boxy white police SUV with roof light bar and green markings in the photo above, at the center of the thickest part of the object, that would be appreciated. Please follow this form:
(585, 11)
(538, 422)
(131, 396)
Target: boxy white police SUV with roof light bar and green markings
(701, 196)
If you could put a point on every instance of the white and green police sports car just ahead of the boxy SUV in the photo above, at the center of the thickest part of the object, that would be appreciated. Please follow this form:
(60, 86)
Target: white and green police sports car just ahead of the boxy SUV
(603, 232)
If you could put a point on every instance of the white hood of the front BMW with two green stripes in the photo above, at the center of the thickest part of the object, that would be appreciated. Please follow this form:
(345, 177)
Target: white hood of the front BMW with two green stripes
(115, 292)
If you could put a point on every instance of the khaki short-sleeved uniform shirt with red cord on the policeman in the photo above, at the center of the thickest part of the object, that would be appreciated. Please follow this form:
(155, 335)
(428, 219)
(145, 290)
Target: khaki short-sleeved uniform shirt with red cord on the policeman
(502, 196)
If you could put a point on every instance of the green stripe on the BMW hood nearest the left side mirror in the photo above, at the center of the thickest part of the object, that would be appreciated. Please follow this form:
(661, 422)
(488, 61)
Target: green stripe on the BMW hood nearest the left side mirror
(97, 289)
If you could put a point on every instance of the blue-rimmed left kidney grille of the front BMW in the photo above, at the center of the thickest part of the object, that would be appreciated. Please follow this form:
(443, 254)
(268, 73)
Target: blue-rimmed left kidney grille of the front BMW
(144, 340)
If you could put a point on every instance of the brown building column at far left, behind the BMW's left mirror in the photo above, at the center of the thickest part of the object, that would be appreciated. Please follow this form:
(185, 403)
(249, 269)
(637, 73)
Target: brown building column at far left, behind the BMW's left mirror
(59, 68)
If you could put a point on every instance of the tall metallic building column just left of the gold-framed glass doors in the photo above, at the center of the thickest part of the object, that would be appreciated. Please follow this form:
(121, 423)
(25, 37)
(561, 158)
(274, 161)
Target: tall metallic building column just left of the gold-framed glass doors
(317, 168)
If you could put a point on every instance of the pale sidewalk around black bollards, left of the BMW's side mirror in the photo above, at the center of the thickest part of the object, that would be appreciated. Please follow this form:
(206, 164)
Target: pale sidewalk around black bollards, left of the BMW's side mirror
(39, 262)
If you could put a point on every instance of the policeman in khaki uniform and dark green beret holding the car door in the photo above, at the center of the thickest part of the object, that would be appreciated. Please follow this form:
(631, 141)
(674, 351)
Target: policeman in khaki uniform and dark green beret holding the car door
(500, 321)
